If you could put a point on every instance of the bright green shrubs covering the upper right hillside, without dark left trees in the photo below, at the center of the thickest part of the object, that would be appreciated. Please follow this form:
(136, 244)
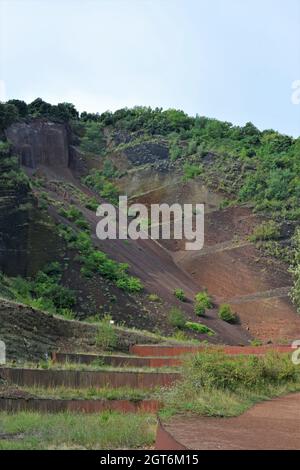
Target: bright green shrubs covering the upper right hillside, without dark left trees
(269, 161)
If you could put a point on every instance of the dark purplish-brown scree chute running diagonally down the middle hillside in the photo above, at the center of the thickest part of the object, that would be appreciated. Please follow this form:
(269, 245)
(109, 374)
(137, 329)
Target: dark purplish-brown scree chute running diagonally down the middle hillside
(155, 266)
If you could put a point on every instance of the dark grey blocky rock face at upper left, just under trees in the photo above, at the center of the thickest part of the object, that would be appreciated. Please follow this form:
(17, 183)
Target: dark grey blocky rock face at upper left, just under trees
(40, 142)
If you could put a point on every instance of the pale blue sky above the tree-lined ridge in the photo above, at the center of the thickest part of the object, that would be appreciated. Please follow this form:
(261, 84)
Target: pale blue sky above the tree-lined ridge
(235, 60)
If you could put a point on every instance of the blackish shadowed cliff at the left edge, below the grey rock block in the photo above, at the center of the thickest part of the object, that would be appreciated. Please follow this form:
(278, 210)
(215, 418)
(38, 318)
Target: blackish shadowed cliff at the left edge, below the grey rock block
(27, 241)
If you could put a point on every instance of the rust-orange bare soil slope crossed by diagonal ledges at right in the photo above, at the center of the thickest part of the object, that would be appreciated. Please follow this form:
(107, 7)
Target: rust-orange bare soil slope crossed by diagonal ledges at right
(234, 271)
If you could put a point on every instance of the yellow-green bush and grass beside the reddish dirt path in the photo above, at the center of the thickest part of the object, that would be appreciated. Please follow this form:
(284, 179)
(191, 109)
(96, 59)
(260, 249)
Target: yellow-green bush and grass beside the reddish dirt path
(214, 384)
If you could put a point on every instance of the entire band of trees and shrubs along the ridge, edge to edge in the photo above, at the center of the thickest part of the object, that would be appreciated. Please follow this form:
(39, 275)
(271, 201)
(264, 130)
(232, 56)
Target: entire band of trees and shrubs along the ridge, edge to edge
(269, 163)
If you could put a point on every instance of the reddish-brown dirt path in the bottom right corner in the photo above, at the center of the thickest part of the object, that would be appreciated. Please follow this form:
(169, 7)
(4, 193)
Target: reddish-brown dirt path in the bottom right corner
(271, 425)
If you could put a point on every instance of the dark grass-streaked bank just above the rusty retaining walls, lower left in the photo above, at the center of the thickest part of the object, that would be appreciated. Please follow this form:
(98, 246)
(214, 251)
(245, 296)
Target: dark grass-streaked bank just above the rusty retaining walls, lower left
(32, 335)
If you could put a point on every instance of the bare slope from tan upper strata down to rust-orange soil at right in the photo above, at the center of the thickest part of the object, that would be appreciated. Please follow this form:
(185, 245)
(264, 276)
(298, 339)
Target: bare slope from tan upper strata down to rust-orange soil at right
(230, 267)
